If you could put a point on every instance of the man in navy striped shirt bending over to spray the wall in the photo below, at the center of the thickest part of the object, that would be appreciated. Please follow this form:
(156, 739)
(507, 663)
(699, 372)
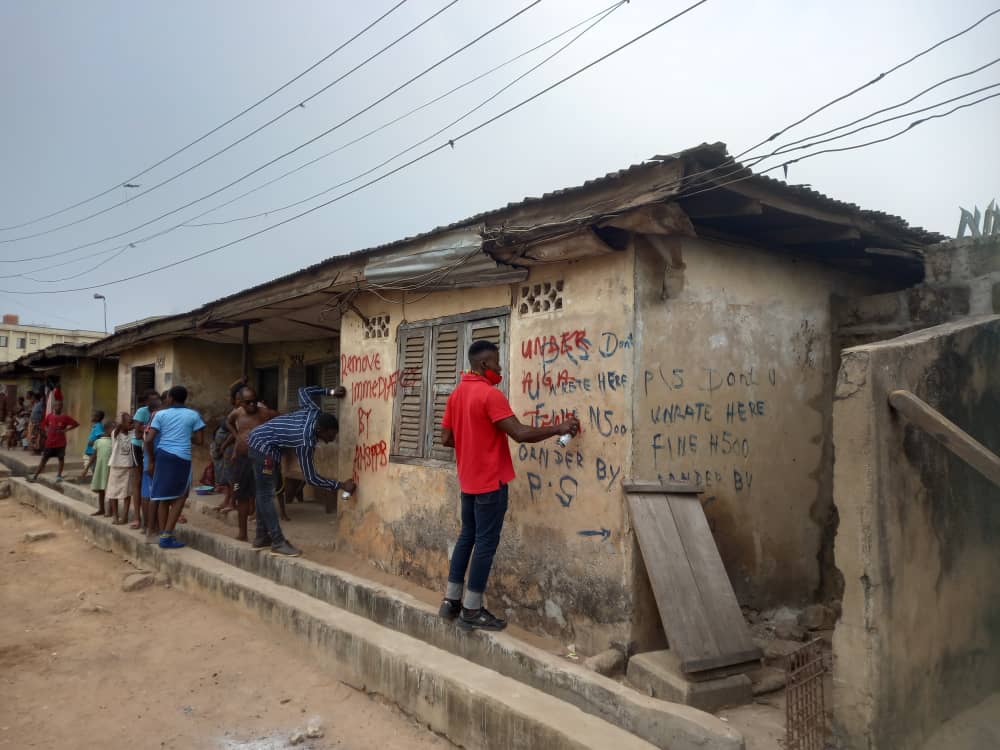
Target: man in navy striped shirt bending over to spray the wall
(300, 430)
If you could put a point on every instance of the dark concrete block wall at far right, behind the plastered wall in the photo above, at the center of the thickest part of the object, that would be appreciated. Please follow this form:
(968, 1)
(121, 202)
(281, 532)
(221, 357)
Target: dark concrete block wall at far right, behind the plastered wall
(962, 278)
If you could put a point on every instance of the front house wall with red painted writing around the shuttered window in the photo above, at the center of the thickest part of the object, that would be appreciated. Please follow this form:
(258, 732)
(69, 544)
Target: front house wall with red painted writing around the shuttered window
(577, 359)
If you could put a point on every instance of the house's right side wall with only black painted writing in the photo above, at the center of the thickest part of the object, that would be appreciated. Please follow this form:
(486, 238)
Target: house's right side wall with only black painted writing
(734, 390)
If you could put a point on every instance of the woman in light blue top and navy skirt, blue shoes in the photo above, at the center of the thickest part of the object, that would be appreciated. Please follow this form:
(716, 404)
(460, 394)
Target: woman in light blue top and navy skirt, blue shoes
(168, 441)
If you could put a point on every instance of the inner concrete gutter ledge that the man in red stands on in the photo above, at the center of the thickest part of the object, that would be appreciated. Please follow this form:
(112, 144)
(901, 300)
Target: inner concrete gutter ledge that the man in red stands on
(666, 725)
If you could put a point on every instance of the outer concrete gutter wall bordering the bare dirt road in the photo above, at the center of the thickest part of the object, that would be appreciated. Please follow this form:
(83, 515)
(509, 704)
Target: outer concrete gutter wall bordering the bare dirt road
(472, 706)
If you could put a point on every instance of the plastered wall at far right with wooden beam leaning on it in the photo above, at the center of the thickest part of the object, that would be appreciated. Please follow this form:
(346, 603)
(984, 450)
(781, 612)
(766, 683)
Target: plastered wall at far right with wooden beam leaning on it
(919, 638)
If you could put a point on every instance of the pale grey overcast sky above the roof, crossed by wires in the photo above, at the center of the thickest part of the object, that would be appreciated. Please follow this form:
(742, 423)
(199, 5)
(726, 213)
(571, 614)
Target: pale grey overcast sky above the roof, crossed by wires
(96, 92)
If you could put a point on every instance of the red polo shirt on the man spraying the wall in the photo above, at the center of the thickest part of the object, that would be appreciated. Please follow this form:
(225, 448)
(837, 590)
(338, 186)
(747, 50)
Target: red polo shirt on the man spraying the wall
(481, 449)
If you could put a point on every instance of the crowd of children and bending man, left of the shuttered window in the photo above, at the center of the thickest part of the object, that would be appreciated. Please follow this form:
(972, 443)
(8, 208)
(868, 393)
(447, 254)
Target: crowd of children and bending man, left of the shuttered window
(141, 464)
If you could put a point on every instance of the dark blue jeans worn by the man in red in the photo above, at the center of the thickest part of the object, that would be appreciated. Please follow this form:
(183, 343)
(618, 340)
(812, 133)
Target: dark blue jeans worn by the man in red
(482, 522)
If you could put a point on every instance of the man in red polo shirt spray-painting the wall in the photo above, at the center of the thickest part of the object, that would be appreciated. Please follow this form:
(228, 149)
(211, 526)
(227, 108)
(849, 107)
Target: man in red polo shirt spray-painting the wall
(477, 422)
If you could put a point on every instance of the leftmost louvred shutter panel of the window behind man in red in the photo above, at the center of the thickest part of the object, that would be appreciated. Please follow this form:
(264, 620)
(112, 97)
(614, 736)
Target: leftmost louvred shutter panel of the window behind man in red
(410, 409)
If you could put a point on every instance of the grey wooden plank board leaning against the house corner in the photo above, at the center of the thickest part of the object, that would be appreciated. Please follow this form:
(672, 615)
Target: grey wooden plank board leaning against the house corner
(700, 614)
